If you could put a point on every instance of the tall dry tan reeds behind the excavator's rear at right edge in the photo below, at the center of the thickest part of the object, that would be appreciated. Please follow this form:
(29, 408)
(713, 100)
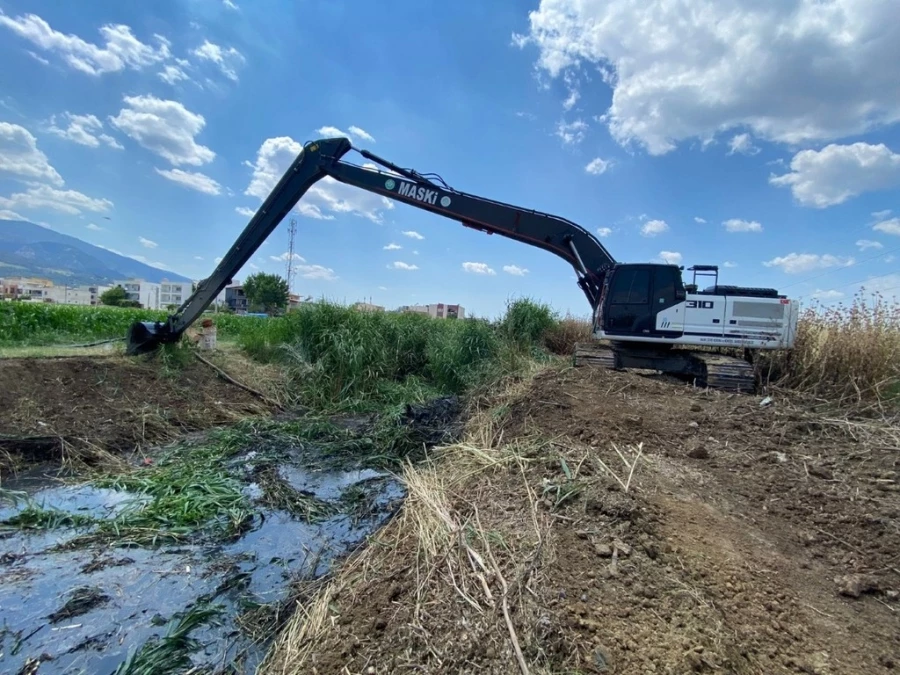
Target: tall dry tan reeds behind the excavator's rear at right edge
(843, 353)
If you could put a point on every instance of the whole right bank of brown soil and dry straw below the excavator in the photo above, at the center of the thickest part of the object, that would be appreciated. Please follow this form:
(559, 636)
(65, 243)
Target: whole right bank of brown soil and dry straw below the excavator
(752, 538)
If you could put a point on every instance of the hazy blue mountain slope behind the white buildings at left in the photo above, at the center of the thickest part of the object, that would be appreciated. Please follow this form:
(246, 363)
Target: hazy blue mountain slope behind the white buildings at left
(29, 250)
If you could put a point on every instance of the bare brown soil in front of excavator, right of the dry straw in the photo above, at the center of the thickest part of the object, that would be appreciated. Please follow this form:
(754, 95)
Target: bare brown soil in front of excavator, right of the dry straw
(768, 524)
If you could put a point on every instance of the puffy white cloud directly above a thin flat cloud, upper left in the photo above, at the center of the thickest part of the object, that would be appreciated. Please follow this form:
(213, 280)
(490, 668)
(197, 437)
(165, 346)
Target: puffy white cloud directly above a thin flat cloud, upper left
(164, 127)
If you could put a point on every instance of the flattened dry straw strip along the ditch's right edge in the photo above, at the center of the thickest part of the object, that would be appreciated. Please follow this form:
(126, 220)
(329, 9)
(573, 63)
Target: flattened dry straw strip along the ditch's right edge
(465, 547)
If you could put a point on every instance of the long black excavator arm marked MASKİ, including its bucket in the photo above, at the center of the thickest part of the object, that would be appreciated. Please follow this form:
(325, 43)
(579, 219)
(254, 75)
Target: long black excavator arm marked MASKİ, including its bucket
(322, 158)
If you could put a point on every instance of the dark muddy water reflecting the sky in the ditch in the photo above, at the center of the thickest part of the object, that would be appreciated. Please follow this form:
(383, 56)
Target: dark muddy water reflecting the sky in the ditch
(86, 610)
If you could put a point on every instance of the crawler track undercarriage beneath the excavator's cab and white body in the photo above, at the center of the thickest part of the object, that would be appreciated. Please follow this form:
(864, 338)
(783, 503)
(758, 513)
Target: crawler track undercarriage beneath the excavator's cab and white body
(703, 369)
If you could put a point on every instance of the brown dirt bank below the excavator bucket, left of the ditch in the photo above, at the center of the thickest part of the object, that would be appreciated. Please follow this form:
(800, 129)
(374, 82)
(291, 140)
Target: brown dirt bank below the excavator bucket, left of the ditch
(110, 404)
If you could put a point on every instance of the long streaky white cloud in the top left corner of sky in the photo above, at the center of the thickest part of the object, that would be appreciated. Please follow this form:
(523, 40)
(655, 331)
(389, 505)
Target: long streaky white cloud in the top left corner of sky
(121, 49)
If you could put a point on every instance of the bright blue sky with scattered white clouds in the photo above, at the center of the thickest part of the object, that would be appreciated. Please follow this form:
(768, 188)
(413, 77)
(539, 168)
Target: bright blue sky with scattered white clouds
(151, 128)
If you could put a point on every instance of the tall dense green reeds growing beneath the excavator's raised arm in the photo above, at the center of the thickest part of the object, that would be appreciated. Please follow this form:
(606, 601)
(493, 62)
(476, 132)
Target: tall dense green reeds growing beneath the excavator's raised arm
(339, 358)
